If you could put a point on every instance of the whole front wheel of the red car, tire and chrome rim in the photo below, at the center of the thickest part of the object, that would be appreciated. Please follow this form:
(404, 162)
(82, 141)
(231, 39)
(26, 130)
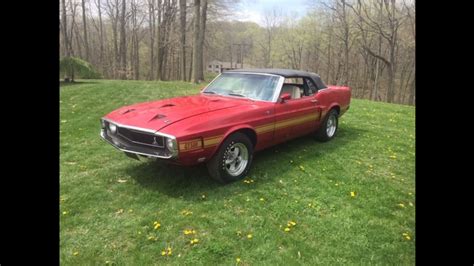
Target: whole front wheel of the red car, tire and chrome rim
(233, 159)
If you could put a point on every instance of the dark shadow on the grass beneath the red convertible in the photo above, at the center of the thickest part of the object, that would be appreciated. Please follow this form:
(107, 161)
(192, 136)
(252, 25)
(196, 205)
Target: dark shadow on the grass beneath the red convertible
(187, 182)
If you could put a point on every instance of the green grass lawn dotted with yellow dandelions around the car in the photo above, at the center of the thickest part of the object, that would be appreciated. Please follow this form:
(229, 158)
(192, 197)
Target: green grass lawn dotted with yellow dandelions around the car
(109, 203)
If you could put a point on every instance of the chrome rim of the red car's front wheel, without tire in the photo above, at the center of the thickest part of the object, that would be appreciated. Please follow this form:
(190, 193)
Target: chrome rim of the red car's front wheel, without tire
(236, 159)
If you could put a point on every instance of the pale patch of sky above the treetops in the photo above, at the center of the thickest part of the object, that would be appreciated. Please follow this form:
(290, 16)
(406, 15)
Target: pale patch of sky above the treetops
(254, 10)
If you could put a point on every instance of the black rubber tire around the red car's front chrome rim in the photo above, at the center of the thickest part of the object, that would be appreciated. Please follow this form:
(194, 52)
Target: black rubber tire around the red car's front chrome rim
(217, 165)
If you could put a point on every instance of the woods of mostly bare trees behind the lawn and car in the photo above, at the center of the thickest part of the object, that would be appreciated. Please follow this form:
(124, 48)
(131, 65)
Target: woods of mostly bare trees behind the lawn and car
(366, 44)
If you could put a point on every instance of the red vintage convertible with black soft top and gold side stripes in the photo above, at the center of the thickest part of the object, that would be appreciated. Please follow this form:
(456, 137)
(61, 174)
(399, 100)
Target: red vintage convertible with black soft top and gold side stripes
(238, 113)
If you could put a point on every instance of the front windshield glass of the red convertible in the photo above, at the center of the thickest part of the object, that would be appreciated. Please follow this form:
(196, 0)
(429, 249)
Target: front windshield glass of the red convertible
(253, 86)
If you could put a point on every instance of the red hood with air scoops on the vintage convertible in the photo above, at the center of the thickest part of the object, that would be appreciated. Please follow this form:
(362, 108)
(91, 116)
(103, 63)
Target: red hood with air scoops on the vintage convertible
(158, 114)
